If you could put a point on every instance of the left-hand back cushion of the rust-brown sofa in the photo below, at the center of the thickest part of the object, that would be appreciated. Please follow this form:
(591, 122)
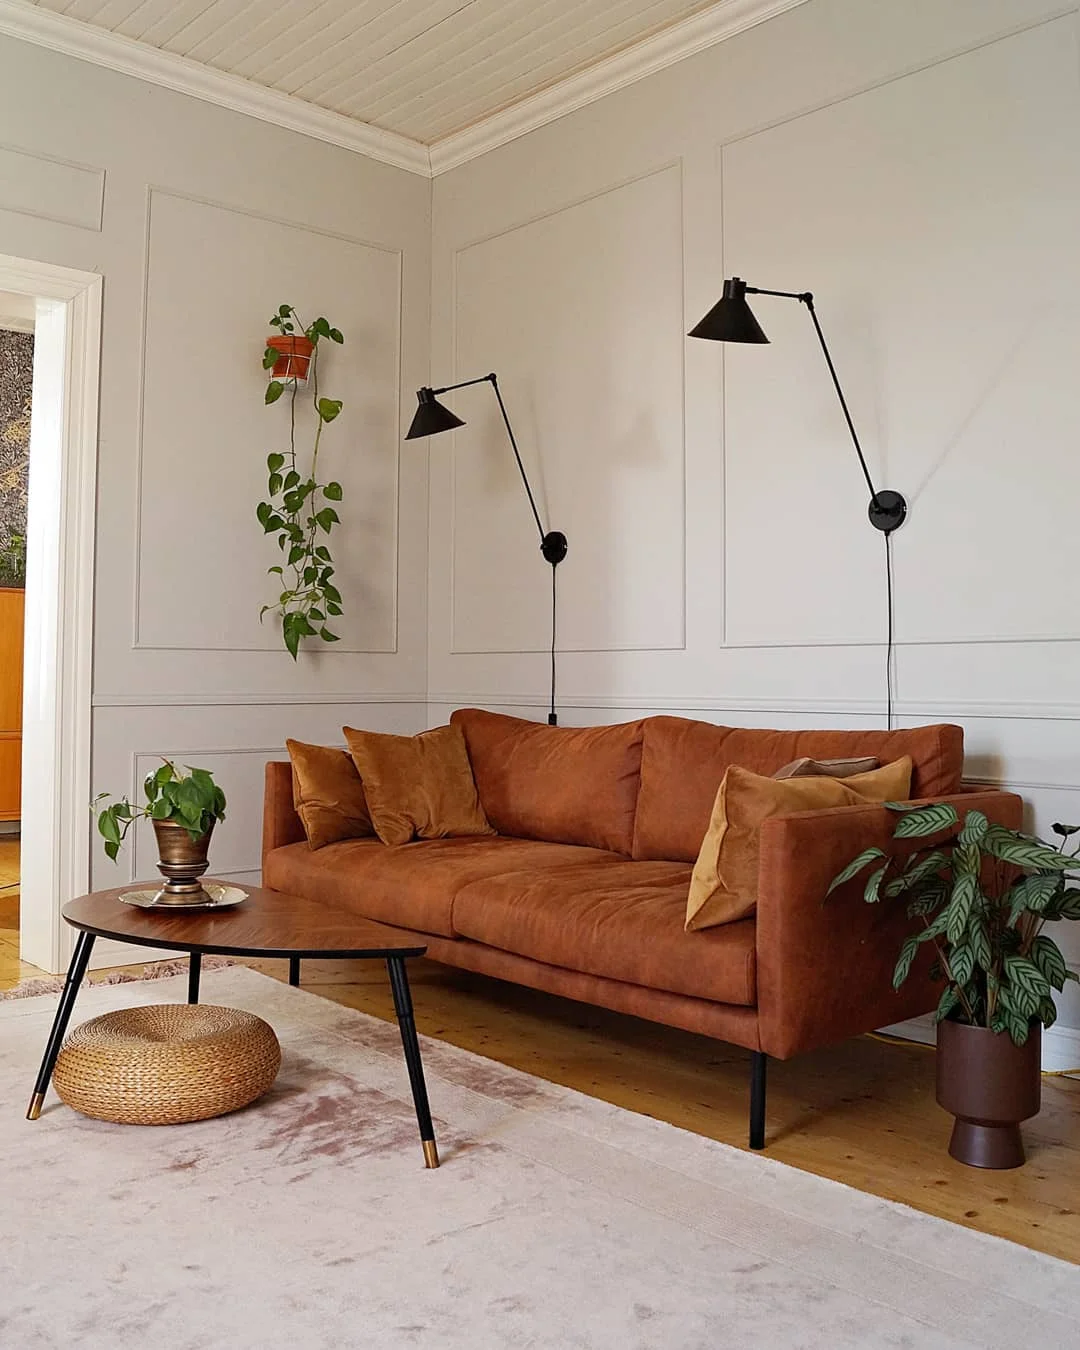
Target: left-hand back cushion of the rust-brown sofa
(565, 785)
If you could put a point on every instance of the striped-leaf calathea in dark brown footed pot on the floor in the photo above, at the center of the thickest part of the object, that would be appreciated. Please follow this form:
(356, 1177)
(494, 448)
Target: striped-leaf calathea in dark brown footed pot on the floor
(982, 896)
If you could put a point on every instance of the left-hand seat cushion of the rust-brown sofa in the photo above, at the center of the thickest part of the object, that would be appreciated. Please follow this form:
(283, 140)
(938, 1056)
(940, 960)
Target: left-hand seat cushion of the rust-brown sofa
(412, 885)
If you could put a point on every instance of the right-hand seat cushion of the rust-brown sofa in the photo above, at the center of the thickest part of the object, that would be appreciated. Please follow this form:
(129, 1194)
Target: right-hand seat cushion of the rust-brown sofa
(623, 921)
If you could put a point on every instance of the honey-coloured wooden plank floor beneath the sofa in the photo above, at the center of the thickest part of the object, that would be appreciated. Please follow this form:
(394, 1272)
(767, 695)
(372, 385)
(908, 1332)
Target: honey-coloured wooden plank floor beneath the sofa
(861, 1113)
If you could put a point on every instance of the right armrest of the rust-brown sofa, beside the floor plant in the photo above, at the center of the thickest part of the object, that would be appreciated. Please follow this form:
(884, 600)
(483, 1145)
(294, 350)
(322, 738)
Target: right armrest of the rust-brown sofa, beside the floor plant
(826, 970)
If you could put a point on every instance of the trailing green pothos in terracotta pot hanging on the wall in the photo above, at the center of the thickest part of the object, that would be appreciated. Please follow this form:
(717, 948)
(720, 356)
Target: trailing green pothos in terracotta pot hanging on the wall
(299, 507)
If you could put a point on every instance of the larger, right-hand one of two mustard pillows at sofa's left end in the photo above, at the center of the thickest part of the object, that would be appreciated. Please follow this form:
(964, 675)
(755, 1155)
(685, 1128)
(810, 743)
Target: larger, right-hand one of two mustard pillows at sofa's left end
(418, 786)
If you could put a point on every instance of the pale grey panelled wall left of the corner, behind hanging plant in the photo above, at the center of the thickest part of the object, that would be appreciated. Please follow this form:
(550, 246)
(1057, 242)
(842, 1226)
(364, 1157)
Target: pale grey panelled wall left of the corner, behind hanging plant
(203, 222)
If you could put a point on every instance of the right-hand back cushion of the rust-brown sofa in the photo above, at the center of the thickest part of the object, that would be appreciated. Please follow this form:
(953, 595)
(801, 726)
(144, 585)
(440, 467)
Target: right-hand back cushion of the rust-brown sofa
(684, 762)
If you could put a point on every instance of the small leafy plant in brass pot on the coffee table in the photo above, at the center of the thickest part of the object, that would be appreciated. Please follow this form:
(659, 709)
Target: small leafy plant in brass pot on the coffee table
(184, 809)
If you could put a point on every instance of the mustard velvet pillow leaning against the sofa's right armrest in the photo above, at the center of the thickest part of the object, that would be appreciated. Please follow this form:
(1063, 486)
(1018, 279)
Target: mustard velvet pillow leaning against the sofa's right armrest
(724, 884)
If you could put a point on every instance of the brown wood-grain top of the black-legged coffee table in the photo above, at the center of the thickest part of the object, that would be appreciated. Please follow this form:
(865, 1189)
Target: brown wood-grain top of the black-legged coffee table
(267, 924)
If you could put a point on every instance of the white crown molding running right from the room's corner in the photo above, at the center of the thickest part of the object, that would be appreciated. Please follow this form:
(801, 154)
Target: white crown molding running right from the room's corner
(665, 49)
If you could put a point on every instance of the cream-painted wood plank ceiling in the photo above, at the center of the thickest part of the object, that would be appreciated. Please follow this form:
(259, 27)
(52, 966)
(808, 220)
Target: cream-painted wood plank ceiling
(421, 68)
